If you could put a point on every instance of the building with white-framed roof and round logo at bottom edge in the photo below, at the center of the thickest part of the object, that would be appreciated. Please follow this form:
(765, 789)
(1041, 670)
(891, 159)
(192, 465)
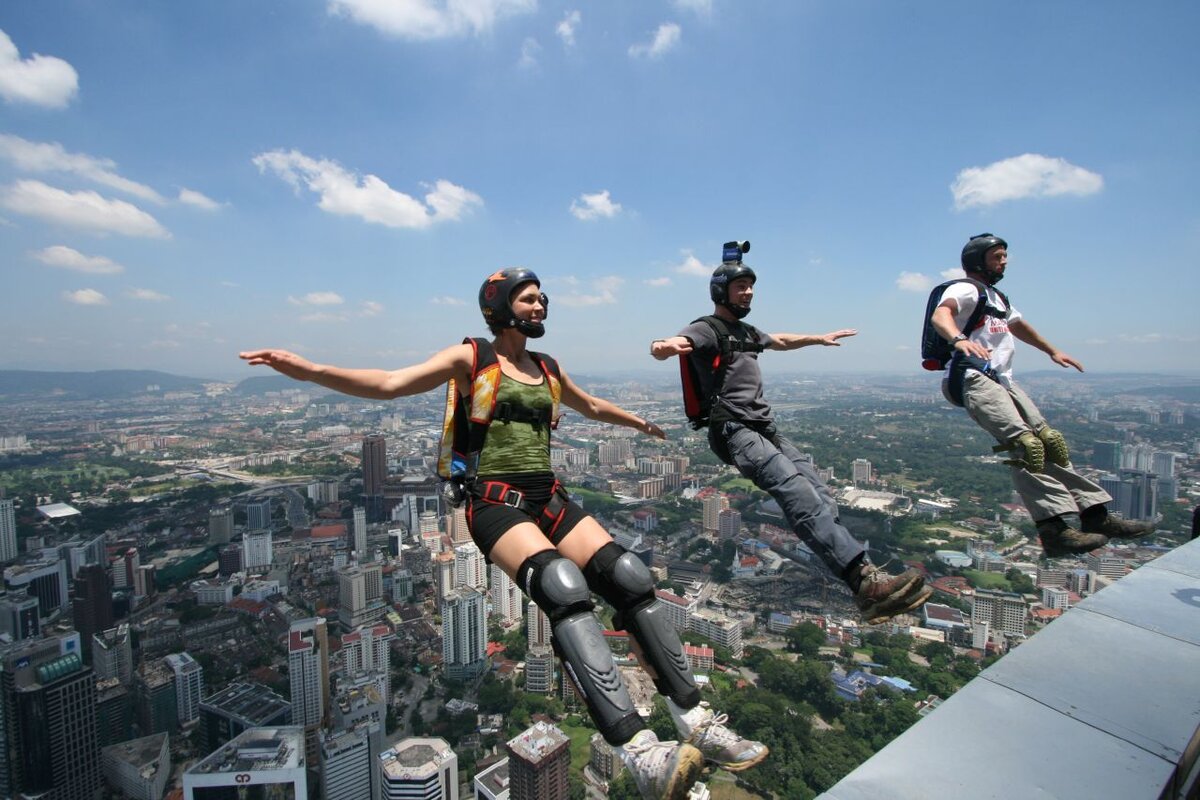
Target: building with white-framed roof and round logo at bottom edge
(260, 763)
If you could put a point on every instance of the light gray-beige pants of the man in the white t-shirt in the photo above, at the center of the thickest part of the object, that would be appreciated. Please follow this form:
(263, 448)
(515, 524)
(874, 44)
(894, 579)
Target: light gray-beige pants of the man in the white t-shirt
(1006, 413)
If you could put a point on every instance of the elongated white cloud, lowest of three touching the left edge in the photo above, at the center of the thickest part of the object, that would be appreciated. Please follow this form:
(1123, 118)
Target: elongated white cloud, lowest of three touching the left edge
(87, 210)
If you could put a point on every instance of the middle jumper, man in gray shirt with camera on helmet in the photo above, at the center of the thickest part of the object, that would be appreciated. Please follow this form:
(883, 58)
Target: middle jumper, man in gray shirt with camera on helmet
(724, 358)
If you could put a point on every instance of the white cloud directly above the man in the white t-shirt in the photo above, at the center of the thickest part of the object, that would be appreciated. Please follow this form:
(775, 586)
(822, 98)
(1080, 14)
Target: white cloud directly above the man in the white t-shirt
(1022, 177)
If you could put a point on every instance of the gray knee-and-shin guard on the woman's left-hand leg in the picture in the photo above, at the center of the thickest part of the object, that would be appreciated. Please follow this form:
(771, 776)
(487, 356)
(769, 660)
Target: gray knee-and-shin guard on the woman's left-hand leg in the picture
(560, 590)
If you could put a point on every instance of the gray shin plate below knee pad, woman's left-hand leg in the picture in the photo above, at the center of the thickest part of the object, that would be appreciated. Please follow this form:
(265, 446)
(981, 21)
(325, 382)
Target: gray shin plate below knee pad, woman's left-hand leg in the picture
(587, 659)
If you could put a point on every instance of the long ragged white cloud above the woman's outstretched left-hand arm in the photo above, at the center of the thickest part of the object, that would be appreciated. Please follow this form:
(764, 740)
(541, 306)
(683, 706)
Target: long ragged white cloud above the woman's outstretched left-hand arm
(368, 197)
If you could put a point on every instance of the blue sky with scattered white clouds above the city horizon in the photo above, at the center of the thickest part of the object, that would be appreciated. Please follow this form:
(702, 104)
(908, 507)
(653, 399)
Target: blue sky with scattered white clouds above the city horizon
(184, 181)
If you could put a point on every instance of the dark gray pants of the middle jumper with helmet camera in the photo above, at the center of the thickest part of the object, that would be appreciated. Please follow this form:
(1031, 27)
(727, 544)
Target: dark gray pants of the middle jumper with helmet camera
(778, 468)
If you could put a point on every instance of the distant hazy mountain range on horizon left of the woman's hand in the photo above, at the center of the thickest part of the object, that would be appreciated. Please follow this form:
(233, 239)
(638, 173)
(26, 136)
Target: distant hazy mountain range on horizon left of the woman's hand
(17, 386)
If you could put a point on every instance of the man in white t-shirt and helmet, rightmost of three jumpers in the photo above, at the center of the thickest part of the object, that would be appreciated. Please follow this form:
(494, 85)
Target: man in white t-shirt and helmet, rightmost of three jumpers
(1071, 512)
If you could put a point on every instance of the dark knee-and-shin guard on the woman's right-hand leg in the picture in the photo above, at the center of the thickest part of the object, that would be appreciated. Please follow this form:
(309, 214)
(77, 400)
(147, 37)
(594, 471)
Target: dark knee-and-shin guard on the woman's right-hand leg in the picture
(628, 586)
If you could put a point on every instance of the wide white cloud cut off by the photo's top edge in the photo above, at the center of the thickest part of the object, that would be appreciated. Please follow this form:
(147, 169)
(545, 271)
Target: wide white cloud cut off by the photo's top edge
(427, 20)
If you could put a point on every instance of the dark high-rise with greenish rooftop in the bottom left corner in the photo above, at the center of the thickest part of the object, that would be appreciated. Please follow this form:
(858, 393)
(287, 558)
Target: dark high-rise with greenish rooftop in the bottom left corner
(47, 723)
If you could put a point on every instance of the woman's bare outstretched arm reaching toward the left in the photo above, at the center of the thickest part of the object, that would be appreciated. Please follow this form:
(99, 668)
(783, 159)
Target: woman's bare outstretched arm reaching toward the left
(376, 384)
